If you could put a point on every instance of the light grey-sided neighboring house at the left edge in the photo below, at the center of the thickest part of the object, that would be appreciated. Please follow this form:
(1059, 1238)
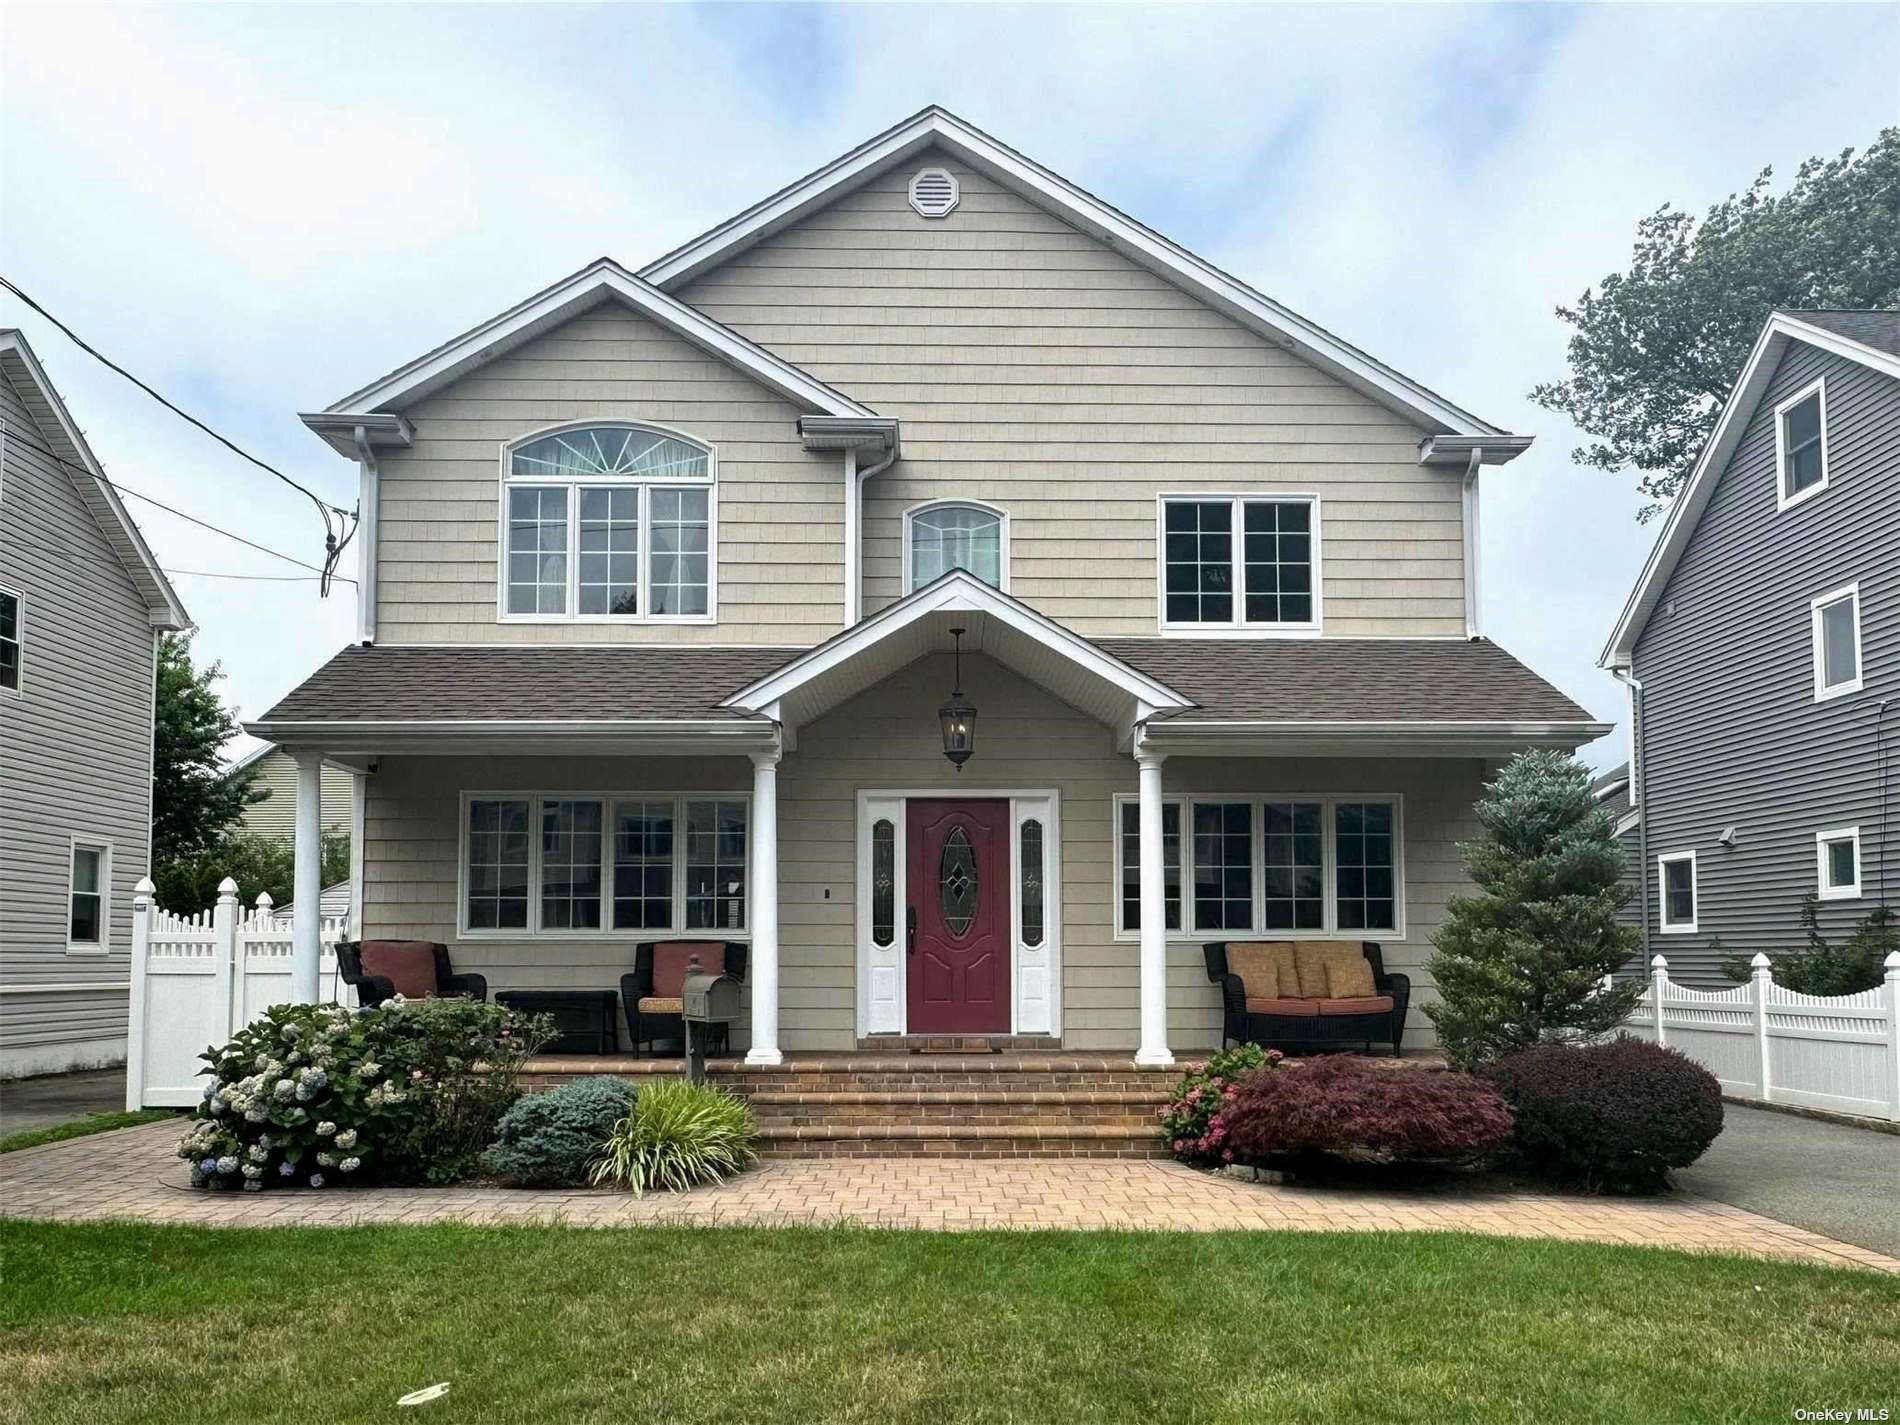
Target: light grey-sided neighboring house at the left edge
(83, 605)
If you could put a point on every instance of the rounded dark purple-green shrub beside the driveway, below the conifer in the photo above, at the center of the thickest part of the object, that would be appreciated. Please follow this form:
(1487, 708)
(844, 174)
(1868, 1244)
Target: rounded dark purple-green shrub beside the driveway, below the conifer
(1612, 1116)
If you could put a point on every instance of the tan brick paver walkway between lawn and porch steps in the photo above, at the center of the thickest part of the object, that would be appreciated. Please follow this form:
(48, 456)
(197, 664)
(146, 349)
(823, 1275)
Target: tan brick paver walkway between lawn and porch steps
(134, 1175)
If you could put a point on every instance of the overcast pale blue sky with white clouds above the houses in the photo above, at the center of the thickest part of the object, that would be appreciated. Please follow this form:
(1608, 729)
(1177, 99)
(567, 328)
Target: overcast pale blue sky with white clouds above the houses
(265, 208)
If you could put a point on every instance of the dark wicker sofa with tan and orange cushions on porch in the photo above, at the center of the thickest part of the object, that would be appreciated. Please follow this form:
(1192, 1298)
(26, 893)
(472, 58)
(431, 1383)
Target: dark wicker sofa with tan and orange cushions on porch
(1263, 1014)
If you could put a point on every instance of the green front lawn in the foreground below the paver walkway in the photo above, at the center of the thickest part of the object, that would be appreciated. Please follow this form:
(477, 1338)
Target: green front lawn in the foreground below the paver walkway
(117, 1323)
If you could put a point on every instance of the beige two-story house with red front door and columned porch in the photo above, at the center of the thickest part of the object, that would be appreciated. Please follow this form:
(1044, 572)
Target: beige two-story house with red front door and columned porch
(681, 588)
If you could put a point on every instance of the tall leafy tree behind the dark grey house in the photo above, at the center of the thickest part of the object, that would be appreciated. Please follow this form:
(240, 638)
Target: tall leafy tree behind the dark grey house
(1658, 349)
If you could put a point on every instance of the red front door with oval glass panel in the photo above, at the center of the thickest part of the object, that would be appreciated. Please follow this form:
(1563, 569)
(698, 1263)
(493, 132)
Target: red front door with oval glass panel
(959, 919)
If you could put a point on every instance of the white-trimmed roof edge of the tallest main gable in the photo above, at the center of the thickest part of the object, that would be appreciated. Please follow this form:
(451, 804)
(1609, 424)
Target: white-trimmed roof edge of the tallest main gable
(1168, 259)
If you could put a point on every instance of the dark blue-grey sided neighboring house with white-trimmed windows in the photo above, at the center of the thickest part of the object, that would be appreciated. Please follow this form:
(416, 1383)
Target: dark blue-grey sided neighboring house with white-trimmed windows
(1762, 653)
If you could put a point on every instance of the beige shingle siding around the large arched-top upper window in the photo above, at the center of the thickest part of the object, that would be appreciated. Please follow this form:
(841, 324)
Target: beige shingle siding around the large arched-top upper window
(780, 510)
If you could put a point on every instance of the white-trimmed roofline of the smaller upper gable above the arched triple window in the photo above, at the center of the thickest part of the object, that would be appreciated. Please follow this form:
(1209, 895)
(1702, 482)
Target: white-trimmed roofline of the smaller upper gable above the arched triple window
(571, 297)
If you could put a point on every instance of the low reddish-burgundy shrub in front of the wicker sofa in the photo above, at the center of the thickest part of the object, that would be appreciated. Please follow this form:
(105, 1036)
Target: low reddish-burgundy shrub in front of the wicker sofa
(1356, 1111)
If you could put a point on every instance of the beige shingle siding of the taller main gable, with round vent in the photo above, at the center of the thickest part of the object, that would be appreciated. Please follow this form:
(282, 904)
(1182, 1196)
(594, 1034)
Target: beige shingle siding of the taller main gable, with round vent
(1040, 371)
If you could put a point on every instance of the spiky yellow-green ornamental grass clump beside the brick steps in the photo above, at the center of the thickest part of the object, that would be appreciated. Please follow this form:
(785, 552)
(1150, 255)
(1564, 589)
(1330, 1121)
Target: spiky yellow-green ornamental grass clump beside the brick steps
(679, 1135)
